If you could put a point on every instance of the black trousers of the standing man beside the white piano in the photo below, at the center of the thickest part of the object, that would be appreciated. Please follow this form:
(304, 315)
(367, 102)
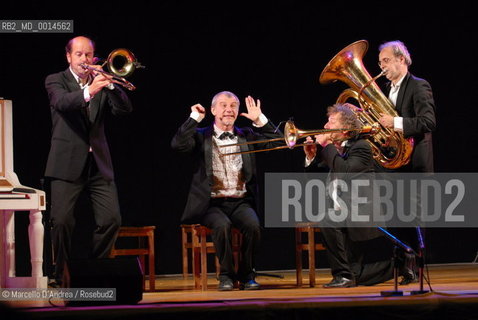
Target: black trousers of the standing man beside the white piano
(104, 201)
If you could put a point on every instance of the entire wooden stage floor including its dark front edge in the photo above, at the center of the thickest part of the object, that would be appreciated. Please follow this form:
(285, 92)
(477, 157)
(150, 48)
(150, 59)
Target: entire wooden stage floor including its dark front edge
(453, 286)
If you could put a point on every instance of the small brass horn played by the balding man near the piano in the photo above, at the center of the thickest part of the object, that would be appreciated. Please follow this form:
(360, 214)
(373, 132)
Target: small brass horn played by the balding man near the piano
(118, 74)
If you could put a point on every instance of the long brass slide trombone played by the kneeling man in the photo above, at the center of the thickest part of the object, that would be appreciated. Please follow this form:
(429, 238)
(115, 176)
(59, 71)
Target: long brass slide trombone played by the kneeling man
(292, 134)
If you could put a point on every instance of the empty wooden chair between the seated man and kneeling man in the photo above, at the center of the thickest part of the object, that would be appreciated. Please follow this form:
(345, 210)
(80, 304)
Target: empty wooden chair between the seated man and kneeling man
(310, 246)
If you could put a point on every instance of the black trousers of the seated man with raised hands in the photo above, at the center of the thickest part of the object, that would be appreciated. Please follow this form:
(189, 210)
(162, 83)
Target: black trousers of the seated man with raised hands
(221, 216)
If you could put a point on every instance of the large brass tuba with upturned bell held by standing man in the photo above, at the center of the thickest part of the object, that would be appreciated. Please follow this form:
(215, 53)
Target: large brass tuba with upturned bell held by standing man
(389, 148)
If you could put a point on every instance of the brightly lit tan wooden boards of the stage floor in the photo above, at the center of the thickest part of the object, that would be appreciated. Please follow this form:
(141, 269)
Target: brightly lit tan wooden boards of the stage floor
(444, 278)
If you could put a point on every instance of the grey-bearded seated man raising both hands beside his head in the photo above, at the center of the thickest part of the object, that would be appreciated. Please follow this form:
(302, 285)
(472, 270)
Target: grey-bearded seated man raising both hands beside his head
(223, 190)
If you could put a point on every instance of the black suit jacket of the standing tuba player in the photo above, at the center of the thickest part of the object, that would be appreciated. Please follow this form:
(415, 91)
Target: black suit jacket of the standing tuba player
(416, 105)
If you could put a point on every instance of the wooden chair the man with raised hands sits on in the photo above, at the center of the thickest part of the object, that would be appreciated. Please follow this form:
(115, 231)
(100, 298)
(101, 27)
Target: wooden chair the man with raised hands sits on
(197, 238)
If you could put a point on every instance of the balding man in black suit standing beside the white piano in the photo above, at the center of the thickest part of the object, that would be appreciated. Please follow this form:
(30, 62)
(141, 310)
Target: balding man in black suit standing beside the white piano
(79, 158)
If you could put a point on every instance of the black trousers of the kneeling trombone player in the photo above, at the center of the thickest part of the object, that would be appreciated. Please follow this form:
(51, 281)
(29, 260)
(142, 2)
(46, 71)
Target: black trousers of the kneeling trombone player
(347, 258)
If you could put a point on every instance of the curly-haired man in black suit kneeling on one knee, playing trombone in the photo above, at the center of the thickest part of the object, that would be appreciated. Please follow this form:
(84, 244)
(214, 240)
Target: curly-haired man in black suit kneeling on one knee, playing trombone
(347, 154)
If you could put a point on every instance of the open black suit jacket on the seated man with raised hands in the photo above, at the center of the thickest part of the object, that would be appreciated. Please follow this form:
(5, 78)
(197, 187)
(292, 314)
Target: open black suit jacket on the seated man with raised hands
(197, 142)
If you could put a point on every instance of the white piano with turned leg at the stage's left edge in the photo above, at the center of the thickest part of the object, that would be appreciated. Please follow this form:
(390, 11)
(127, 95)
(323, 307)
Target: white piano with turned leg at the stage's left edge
(16, 197)
